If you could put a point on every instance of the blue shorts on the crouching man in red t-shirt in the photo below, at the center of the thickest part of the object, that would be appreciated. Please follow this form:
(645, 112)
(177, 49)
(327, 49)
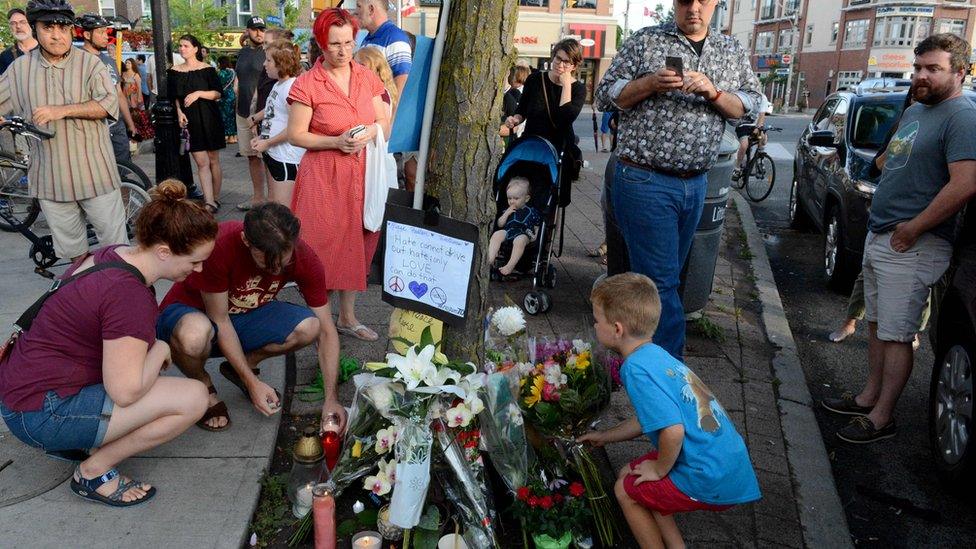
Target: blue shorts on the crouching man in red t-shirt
(270, 323)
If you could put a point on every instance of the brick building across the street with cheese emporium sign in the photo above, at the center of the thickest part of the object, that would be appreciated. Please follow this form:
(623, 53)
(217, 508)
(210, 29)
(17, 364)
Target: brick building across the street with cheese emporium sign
(820, 46)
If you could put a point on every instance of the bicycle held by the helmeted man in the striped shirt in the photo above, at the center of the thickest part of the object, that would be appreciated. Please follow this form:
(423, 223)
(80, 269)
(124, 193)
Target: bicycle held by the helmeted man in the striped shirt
(42, 253)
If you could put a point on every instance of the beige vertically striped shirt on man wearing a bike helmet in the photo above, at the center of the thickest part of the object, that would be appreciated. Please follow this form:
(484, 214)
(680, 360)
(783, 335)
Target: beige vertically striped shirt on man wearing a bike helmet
(78, 162)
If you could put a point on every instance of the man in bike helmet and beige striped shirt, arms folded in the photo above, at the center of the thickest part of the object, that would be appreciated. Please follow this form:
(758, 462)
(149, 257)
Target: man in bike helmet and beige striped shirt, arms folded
(68, 91)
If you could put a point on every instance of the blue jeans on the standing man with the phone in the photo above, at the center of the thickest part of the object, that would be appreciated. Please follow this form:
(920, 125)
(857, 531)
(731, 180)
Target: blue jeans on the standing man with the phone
(657, 215)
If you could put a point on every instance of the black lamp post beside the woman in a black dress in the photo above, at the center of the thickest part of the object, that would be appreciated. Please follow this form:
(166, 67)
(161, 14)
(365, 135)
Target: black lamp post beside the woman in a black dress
(164, 112)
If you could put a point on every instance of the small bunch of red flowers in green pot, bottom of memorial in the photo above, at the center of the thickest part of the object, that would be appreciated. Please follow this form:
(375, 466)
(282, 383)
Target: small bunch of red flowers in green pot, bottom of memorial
(552, 513)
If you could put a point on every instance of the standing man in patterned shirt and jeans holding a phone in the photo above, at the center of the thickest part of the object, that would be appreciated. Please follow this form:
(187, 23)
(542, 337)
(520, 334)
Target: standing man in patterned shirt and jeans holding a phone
(668, 137)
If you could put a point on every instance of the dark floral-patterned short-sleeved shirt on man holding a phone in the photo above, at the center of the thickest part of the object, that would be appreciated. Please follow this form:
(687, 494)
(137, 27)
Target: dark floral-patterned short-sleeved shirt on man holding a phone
(676, 131)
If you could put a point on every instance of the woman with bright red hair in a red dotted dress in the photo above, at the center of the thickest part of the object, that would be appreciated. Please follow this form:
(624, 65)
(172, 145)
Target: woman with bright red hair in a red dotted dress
(327, 105)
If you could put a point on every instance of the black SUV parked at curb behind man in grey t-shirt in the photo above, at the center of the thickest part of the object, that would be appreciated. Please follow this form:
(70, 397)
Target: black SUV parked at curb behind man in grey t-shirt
(832, 183)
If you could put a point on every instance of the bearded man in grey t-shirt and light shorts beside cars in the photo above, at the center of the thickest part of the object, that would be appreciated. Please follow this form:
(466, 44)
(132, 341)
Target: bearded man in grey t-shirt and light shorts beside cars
(929, 174)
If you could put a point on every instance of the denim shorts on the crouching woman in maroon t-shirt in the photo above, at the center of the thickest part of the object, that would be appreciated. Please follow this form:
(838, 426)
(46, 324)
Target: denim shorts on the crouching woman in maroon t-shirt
(77, 422)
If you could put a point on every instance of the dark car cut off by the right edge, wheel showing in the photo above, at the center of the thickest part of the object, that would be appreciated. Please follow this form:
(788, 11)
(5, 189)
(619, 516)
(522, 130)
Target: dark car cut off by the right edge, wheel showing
(952, 431)
